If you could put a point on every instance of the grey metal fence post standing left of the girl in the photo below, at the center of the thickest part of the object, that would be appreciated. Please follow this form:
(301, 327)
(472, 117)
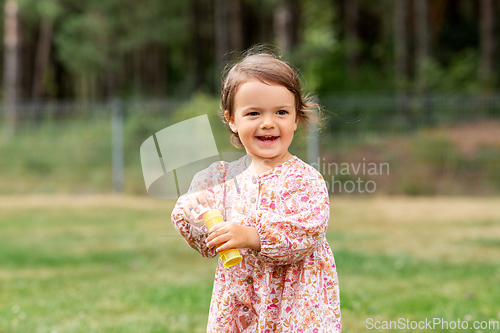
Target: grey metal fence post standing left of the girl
(117, 146)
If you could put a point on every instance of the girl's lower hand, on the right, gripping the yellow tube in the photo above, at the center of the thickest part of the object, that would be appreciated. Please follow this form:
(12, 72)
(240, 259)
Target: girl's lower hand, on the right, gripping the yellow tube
(229, 235)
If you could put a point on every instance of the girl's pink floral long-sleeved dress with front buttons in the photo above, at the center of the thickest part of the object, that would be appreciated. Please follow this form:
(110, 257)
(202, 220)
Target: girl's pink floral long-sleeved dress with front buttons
(290, 284)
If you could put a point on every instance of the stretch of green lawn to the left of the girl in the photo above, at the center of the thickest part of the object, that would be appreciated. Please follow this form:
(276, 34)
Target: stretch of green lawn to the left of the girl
(103, 270)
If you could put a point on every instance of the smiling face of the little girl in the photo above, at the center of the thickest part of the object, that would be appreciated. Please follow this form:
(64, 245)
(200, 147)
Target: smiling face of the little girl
(265, 119)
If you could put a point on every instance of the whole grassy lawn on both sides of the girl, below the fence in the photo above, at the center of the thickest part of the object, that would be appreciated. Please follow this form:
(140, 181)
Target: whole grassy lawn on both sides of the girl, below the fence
(116, 264)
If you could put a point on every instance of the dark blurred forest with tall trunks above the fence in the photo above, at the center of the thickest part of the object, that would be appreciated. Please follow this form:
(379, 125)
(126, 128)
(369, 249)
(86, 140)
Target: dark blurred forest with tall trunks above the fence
(96, 50)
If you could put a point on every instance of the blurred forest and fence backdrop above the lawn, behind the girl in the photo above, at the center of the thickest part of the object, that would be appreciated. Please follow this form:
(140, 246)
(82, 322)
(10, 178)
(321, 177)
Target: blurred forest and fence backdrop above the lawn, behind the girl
(411, 83)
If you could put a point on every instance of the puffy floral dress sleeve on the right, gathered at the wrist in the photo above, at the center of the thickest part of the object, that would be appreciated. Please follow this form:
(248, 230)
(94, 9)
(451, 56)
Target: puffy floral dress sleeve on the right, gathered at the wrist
(298, 227)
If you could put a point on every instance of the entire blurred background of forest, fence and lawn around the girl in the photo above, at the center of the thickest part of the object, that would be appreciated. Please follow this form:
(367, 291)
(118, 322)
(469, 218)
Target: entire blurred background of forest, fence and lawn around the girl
(409, 147)
